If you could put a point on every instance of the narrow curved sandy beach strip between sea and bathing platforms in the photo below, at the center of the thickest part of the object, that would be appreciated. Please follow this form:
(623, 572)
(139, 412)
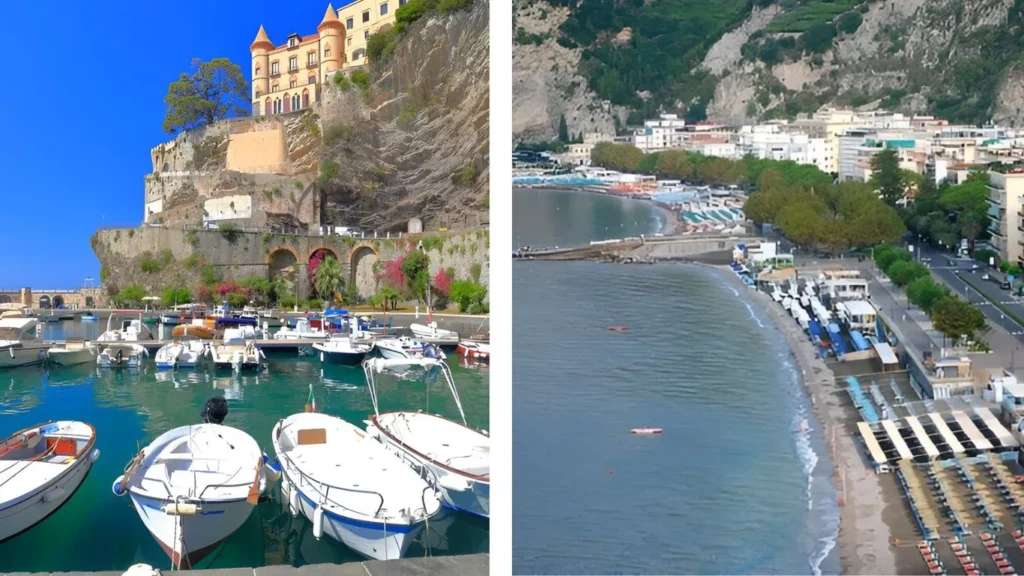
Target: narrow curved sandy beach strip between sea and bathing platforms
(870, 501)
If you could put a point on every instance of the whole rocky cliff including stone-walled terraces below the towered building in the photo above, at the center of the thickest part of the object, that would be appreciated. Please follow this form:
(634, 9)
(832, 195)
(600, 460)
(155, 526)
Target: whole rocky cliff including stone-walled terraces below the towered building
(414, 144)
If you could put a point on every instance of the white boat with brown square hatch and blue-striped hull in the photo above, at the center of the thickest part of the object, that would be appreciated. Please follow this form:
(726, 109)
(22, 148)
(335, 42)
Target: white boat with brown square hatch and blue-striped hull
(351, 487)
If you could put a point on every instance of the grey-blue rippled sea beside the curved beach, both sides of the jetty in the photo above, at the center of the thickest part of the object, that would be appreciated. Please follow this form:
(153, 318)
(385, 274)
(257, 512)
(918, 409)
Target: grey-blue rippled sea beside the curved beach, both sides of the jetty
(731, 487)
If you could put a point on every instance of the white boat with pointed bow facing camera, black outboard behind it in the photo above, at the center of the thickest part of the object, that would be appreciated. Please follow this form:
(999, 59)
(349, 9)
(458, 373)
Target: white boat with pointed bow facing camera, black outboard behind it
(193, 487)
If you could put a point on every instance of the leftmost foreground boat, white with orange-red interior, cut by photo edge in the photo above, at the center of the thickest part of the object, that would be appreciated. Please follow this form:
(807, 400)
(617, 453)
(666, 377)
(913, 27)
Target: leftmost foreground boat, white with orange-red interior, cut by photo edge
(40, 469)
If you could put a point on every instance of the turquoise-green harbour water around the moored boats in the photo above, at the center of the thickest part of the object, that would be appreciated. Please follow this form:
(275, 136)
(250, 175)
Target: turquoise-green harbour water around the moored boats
(97, 530)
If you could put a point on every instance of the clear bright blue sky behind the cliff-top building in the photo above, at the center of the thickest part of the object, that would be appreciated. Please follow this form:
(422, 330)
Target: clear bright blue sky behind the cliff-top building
(75, 141)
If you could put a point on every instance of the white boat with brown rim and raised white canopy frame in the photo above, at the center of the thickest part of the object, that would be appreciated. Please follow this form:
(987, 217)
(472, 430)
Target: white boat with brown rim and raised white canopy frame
(452, 455)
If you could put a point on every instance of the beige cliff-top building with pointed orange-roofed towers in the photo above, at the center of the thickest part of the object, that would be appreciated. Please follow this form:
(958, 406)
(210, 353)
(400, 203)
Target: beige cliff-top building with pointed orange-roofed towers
(287, 78)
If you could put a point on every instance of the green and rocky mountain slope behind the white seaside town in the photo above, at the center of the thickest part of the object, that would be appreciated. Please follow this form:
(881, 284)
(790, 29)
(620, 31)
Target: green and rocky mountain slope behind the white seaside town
(738, 61)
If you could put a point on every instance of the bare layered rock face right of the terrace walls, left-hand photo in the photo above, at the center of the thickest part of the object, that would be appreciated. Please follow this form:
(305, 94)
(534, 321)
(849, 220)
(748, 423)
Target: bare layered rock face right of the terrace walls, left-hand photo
(417, 144)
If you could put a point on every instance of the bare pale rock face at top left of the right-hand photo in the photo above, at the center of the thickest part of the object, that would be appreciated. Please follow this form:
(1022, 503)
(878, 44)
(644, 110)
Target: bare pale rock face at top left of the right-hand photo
(547, 84)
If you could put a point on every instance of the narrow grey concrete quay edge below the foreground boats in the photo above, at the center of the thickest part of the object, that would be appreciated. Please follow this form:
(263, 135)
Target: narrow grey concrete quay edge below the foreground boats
(467, 565)
